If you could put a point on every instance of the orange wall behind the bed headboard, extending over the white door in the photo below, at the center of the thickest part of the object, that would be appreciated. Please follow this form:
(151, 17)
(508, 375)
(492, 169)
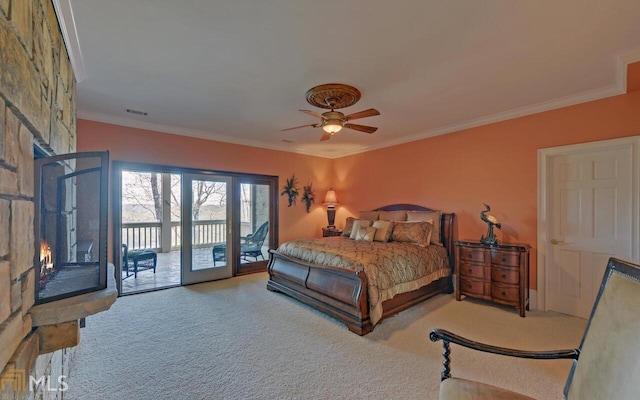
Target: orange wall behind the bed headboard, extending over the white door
(494, 164)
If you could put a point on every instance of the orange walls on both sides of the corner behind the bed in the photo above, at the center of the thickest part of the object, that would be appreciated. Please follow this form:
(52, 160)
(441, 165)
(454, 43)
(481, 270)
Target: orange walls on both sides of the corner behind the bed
(457, 172)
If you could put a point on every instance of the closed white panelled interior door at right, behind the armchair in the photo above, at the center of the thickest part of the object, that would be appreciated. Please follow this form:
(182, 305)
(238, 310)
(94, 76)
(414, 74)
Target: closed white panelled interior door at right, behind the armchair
(591, 216)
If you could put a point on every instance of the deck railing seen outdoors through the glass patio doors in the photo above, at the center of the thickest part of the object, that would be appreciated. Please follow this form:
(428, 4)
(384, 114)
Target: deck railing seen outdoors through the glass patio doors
(148, 235)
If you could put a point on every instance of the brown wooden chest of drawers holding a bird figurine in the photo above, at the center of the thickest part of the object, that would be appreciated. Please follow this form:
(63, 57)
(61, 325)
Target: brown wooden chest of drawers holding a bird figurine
(497, 273)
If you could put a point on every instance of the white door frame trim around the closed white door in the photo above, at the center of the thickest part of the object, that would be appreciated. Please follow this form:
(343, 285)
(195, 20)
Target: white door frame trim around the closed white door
(544, 159)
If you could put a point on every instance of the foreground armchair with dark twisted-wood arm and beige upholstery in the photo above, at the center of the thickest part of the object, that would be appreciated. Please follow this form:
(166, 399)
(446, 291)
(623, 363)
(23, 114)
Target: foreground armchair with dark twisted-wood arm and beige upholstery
(605, 364)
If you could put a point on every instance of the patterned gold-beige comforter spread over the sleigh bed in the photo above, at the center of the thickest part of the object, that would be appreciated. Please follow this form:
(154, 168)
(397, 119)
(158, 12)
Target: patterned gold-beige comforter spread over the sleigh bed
(391, 267)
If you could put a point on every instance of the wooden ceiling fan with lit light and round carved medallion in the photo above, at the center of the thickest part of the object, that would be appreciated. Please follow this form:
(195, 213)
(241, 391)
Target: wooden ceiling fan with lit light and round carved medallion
(335, 96)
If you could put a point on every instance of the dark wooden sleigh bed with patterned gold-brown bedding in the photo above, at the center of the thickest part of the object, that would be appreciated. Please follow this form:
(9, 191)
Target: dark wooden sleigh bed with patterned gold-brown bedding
(345, 293)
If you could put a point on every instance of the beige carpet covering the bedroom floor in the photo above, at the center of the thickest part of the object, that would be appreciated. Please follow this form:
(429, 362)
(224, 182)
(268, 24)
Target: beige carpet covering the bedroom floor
(233, 339)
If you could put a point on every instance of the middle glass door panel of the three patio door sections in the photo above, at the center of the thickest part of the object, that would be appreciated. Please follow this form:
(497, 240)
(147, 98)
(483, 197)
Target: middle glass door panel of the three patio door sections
(206, 228)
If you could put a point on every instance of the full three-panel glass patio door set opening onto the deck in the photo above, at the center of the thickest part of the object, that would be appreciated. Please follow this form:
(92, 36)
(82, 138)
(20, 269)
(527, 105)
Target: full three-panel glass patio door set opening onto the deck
(177, 226)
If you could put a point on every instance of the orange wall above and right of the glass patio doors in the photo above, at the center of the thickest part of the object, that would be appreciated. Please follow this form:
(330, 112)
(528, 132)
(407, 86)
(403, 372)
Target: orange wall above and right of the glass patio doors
(138, 145)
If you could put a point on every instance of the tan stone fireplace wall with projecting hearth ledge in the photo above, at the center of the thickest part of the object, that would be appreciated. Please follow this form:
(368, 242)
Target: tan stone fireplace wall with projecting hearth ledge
(37, 106)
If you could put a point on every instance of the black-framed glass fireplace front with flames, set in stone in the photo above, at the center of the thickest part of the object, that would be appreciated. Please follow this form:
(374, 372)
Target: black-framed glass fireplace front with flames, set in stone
(70, 225)
